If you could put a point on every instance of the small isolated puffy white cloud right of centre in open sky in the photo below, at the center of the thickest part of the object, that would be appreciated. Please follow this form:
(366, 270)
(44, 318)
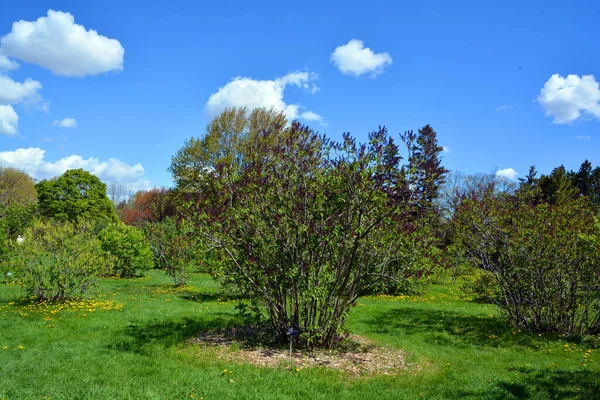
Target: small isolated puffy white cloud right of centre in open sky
(354, 58)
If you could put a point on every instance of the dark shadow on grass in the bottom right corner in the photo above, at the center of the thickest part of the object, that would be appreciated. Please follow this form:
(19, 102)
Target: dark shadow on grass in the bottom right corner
(549, 384)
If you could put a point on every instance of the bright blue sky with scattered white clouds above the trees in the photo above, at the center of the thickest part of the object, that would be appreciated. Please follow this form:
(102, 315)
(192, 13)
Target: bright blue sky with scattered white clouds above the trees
(116, 87)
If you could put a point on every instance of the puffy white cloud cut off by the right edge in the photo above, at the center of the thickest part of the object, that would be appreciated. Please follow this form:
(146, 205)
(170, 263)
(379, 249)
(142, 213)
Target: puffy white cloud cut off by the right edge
(567, 99)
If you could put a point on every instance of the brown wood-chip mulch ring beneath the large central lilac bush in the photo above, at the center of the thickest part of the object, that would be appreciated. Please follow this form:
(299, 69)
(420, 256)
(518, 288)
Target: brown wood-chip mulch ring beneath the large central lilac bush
(358, 356)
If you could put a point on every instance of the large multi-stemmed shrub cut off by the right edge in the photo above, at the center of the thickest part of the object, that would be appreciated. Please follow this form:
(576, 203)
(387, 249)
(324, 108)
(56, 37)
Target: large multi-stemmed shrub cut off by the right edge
(544, 260)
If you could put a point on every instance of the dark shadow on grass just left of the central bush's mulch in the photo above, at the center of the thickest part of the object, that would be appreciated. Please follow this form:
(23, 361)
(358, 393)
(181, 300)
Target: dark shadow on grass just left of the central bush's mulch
(143, 339)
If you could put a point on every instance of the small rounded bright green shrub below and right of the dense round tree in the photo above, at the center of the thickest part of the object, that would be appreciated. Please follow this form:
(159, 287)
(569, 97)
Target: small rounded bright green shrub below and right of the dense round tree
(129, 248)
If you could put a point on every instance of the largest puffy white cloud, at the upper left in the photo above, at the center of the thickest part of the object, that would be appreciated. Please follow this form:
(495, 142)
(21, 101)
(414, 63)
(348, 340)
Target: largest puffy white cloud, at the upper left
(57, 43)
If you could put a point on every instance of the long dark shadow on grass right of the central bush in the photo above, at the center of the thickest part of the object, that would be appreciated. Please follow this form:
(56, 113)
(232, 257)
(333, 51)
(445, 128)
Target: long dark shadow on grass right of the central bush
(451, 328)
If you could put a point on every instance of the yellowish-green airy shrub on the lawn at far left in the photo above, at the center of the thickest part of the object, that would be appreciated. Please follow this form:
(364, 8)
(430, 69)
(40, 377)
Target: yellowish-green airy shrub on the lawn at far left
(57, 260)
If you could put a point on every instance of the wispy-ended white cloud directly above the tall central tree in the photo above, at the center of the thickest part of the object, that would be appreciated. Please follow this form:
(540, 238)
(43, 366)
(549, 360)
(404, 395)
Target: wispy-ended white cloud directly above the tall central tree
(251, 93)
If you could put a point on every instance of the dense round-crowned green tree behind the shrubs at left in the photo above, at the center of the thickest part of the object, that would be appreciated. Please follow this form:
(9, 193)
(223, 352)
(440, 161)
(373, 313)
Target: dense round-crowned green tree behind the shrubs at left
(76, 195)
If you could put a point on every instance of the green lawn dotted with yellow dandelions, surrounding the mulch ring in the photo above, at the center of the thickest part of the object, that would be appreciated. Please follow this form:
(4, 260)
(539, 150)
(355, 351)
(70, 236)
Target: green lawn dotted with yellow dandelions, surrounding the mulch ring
(132, 343)
